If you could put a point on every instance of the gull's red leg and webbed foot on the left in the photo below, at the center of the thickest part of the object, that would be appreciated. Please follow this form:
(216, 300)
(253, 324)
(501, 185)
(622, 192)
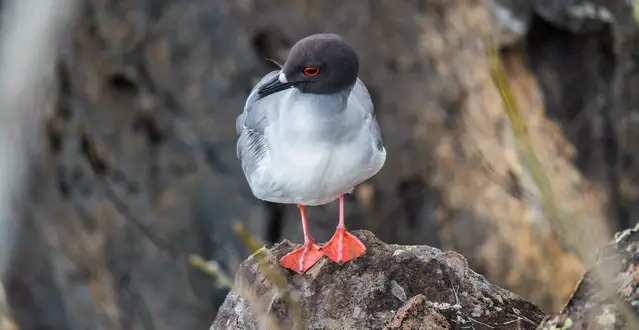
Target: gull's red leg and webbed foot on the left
(303, 258)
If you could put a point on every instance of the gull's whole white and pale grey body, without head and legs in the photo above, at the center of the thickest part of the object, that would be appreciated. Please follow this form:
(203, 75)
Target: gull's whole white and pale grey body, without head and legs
(317, 147)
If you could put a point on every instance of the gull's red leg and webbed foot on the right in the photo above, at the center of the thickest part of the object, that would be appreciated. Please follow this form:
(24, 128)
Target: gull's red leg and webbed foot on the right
(344, 246)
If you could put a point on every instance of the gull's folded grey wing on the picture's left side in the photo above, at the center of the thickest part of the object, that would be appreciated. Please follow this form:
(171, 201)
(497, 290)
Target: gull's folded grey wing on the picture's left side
(250, 125)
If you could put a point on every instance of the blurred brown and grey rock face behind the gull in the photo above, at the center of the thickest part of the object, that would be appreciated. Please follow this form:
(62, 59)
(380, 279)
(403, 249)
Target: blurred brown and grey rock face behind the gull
(144, 110)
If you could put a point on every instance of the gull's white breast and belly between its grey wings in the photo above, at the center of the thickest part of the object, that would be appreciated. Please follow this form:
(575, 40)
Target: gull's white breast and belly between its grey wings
(315, 154)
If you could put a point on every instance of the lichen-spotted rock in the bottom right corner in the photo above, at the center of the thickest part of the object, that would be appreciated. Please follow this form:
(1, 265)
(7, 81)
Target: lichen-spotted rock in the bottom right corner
(590, 307)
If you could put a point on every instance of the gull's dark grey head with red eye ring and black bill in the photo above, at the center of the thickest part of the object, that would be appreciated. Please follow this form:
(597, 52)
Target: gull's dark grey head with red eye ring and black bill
(318, 64)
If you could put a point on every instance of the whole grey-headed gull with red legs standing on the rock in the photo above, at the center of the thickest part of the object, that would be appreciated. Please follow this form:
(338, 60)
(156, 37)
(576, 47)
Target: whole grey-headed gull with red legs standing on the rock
(308, 135)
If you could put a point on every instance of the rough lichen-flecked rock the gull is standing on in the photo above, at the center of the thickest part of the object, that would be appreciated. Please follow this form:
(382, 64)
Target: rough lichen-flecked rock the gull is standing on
(391, 287)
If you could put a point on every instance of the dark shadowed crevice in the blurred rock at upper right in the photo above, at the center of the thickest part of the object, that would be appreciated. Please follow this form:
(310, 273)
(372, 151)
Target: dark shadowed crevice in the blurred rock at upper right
(576, 73)
